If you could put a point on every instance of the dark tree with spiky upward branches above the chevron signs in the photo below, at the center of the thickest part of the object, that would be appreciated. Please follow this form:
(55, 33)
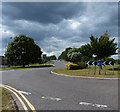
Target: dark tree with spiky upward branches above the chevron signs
(103, 47)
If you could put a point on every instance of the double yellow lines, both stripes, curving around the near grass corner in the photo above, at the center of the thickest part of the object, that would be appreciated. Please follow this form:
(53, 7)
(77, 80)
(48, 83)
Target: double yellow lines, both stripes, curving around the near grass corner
(16, 92)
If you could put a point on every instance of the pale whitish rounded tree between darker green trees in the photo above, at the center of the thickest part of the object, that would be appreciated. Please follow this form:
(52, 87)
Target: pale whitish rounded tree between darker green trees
(74, 55)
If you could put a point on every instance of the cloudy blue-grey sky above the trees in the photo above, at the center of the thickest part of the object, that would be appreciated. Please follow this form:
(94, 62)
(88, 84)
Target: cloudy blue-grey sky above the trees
(58, 25)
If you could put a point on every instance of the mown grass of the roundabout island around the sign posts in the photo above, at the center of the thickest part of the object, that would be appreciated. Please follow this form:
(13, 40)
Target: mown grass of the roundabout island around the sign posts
(84, 72)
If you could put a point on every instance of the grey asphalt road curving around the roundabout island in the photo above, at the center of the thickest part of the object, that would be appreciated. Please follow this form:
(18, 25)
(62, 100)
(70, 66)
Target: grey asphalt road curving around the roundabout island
(53, 92)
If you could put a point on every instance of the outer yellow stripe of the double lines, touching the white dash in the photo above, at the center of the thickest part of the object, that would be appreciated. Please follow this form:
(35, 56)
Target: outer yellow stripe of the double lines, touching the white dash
(29, 104)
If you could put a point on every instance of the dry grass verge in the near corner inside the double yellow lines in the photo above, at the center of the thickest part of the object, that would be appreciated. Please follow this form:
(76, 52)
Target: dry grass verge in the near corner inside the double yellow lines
(7, 102)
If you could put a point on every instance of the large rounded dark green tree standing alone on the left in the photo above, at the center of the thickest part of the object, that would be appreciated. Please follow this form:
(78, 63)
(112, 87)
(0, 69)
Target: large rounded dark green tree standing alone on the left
(22, 51)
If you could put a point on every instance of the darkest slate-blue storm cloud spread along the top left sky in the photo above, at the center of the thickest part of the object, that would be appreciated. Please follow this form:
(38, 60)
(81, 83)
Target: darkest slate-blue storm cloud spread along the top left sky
(42, 12)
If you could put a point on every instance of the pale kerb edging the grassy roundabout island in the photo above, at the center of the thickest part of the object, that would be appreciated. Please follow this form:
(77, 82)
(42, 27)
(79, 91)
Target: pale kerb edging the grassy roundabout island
(84, 77)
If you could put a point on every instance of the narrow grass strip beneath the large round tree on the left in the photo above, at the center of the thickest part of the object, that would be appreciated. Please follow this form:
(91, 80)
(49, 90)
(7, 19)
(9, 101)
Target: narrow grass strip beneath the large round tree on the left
(26, 67)
